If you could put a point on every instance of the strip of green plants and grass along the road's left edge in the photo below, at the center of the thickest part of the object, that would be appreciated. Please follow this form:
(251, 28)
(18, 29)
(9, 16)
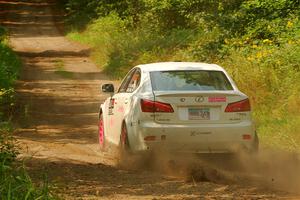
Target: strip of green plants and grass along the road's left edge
(15, 182)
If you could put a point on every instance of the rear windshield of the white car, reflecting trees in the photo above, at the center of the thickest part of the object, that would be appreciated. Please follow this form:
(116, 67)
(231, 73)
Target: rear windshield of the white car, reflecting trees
(189, 80)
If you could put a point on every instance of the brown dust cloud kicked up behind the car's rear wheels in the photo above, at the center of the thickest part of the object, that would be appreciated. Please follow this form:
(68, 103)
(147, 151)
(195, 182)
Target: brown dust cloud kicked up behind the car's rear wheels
(268, 168)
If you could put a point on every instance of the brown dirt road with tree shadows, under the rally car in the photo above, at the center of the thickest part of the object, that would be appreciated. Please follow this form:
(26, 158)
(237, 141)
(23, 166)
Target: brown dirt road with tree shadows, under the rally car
(59, 91)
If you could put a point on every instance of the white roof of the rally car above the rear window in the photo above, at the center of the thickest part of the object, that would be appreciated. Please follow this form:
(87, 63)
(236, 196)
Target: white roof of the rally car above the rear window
(173, 66)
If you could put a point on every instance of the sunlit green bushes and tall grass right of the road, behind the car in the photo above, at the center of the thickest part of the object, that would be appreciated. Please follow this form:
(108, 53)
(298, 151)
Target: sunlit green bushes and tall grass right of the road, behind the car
(257, 41)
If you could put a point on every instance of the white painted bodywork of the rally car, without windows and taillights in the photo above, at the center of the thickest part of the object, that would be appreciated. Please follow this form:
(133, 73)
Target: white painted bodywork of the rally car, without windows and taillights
(174, 131)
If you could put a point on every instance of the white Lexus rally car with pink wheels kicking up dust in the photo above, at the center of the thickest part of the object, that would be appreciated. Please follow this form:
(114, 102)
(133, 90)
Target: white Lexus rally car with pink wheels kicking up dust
(177, 106)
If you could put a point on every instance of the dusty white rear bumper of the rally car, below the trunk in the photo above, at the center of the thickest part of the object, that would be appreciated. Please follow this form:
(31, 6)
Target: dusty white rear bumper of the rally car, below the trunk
(197, 138)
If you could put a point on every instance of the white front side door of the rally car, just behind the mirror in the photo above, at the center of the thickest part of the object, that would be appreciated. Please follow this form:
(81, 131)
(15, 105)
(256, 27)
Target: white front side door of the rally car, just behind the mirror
(117, 108)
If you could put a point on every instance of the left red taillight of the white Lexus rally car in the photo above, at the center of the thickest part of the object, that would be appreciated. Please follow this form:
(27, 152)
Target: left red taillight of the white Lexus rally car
(155, 106)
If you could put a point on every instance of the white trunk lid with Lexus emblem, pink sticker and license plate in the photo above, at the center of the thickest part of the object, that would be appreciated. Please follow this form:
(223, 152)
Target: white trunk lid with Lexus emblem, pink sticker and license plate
(194, 107)
